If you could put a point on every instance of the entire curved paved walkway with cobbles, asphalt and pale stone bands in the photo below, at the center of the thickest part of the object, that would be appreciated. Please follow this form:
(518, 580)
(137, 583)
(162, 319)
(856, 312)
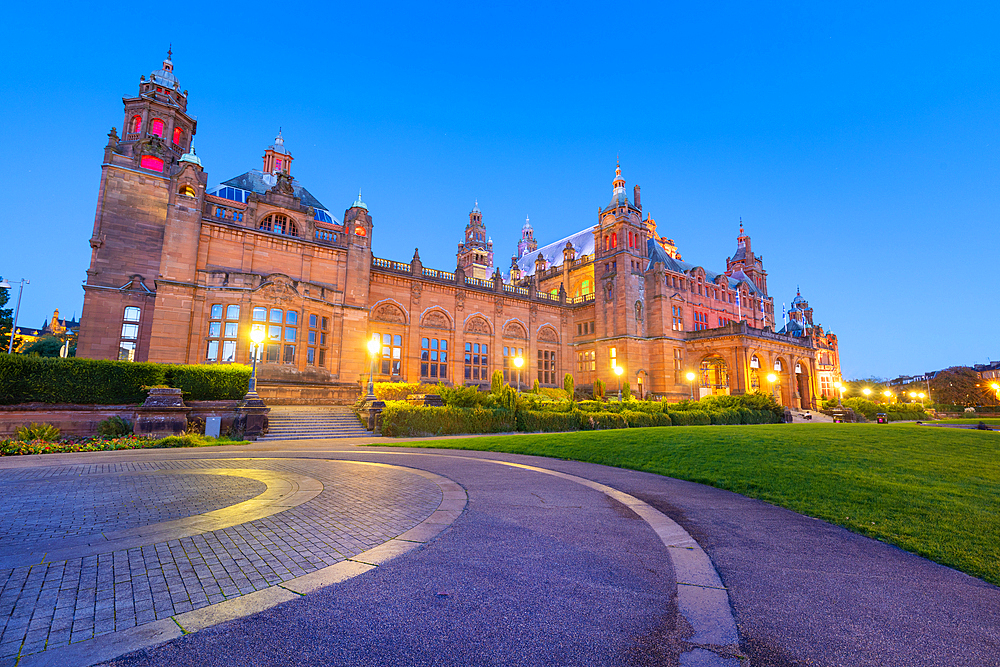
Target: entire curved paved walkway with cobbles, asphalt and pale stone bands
(551, 562)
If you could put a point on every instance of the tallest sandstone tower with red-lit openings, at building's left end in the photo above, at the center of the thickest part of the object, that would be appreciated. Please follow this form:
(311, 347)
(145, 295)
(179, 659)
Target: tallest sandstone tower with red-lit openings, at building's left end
(151, 194)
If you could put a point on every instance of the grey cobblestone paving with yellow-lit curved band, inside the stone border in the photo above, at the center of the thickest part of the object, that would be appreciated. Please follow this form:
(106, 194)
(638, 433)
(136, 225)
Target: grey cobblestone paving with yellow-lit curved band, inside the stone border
(46, 604)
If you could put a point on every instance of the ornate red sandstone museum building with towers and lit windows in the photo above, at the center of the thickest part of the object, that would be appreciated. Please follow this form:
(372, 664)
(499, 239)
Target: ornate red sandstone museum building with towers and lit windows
(182, 272)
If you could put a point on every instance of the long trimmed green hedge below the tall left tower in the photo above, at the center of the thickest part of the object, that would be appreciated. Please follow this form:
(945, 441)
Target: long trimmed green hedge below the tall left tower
(97, 382)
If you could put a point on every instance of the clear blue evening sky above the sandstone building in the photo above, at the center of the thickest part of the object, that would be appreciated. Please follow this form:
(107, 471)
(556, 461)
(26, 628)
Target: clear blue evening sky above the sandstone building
(858, 142)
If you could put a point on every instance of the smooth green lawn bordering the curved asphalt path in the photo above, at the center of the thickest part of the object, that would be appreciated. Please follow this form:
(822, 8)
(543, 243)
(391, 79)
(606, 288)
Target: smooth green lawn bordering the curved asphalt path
(932, 491)
